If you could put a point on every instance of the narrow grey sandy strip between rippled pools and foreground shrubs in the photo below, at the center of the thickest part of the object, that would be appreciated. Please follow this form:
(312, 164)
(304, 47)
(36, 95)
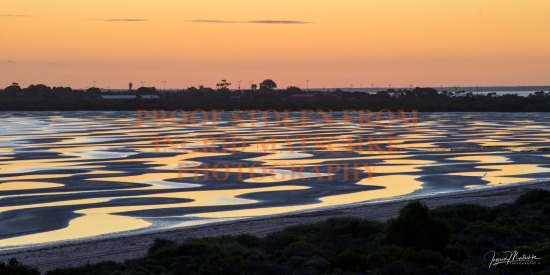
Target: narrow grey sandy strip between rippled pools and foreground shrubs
(134, 246)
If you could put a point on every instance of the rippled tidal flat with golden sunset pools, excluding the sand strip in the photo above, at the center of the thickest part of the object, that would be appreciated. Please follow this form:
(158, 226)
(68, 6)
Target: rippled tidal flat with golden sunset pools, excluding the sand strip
(113, 171)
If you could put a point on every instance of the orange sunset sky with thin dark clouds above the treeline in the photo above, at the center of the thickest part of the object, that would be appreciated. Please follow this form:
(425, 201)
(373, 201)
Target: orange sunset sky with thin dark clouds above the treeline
(331, 43)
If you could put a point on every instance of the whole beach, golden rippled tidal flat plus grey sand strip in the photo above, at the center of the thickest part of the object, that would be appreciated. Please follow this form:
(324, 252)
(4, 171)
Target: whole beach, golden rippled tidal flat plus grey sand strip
(95, 186)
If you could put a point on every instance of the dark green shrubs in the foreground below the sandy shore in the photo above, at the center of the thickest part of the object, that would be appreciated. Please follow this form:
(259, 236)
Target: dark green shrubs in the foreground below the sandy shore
(448, 240)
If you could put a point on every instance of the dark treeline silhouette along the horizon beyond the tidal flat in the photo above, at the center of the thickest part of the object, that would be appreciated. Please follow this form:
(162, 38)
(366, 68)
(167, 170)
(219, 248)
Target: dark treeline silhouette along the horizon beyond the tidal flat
(41, 97)
